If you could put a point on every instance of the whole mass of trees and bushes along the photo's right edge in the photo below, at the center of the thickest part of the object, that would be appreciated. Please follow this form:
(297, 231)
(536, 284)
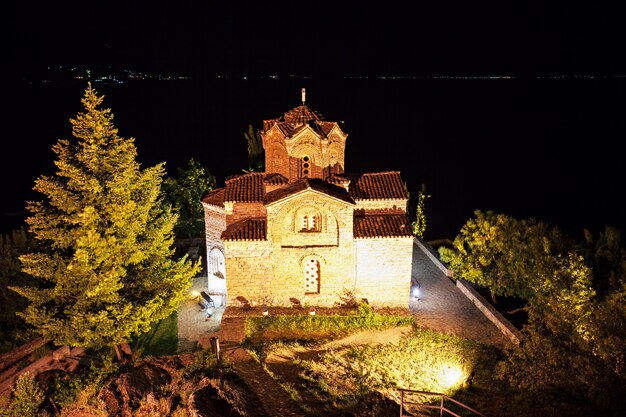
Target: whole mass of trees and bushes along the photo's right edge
(573, 342)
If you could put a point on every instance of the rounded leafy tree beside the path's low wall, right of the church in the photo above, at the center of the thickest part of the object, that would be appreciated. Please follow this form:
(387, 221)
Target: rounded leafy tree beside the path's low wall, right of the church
(511, 257)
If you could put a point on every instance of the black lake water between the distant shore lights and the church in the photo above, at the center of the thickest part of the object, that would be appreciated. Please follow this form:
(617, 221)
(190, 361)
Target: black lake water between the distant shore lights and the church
(550, 149)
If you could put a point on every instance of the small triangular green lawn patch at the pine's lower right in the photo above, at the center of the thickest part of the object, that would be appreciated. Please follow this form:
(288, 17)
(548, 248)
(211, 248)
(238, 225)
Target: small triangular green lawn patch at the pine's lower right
(161, 340)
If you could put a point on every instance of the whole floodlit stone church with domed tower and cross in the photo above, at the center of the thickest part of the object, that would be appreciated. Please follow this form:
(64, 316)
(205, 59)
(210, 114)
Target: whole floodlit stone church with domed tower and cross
(305, 230)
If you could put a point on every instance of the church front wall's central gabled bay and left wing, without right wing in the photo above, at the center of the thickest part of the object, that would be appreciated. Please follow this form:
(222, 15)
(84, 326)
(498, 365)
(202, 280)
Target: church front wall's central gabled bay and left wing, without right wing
(272, 272)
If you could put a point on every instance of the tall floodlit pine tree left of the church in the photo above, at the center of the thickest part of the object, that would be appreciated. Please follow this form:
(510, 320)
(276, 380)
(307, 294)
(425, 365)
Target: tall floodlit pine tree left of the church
(107, 270)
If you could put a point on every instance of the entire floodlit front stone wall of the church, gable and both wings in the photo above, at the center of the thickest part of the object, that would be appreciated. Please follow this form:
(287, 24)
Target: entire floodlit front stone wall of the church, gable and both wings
(272, 271)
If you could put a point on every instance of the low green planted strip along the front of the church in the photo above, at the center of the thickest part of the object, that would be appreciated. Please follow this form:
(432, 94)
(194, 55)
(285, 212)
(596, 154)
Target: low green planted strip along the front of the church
(307, 327)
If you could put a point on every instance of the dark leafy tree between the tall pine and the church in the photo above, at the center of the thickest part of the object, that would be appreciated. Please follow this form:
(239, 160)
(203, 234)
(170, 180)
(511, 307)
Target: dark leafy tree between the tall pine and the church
(185, 193)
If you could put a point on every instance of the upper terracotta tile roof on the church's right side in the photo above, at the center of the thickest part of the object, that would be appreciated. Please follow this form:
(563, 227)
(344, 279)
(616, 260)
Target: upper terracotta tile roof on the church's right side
(376, 186)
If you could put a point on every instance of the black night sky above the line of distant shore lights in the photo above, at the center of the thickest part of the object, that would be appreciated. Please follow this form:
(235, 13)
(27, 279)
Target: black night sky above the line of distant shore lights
(324, 39)
